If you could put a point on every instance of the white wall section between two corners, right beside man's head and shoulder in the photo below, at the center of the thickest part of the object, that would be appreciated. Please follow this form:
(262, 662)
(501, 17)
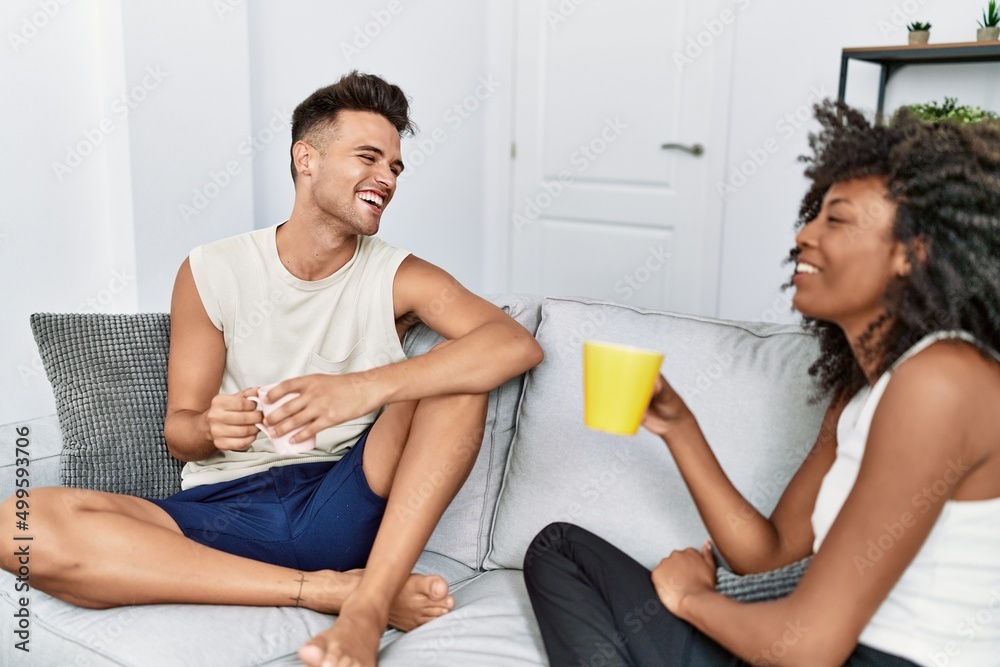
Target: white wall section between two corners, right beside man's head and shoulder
(188, 184)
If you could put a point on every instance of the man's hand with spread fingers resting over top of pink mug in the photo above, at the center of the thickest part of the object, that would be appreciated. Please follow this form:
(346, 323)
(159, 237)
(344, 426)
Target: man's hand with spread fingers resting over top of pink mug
(323, 401)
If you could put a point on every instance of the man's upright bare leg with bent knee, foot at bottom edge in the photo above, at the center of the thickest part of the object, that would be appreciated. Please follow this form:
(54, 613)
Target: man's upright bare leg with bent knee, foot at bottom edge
(440, 449)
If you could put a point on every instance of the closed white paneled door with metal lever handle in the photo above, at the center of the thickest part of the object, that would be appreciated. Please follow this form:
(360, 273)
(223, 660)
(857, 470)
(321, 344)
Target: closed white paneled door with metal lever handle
(599, 207)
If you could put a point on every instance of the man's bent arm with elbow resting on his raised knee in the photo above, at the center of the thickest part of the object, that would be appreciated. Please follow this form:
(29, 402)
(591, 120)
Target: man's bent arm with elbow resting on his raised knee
(485, 348)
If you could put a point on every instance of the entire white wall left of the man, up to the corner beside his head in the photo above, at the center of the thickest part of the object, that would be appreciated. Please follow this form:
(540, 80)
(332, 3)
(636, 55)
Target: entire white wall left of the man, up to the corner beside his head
(115, 112)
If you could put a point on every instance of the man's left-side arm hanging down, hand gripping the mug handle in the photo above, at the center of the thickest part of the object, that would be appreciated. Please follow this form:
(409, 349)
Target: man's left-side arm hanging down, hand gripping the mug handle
(199, 420)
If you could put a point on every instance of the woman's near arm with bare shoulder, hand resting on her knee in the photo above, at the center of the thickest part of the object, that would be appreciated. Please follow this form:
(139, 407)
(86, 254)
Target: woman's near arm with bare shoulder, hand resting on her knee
(920, 430)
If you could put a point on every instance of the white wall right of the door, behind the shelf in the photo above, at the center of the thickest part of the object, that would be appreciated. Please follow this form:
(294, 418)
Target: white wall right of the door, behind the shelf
(784, 53)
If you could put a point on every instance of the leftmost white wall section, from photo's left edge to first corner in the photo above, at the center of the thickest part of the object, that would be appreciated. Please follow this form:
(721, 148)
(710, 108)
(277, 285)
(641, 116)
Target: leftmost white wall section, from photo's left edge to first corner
(56, 248)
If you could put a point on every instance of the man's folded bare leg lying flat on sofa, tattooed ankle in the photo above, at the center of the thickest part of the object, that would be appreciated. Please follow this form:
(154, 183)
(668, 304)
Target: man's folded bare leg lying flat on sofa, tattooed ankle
(102, 550)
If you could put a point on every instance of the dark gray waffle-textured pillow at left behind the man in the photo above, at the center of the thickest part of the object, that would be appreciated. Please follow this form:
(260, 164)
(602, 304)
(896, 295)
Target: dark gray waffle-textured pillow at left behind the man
(109, 378)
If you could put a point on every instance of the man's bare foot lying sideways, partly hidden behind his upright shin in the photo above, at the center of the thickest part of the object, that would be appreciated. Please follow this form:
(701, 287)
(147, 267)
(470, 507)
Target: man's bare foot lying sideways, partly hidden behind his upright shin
(423, 597)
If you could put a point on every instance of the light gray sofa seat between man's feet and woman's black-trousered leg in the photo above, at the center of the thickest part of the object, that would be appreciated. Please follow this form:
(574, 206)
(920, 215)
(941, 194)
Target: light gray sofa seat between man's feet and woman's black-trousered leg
(492, 625)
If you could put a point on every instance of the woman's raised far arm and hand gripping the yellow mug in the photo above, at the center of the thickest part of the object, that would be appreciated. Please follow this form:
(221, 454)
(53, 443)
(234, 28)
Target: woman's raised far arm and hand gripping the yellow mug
(747, 540)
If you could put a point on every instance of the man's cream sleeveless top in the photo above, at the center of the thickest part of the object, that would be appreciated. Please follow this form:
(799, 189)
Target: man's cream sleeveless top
(277, 326)
